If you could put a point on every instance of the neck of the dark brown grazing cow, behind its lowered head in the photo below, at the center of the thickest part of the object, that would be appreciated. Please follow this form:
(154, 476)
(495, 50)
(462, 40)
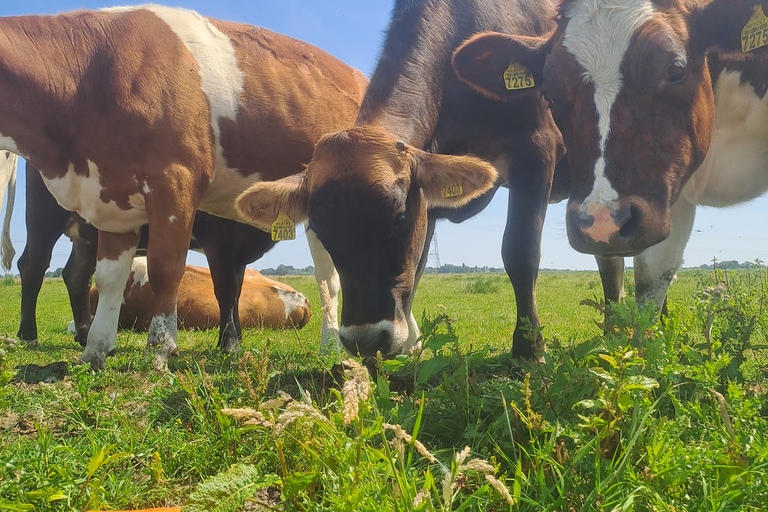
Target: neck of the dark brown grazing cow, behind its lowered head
(405, 92)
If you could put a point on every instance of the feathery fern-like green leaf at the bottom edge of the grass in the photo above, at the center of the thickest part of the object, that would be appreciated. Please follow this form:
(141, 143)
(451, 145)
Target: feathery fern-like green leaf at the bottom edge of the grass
(227, 491)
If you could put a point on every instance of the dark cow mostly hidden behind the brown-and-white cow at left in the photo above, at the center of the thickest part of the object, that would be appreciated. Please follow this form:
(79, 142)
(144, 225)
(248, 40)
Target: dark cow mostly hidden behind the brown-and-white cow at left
(229, 246)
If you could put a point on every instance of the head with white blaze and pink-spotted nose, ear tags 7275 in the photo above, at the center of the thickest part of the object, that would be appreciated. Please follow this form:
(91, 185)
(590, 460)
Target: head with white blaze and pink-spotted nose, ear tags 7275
(630, 90)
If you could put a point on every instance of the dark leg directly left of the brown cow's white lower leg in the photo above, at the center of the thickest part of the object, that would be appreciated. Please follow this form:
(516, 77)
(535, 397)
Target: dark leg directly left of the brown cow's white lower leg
(77, 277)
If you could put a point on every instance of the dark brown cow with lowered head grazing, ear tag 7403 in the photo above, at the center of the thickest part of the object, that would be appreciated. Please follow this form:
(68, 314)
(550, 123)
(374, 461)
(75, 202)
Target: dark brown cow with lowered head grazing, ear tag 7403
(367, 191)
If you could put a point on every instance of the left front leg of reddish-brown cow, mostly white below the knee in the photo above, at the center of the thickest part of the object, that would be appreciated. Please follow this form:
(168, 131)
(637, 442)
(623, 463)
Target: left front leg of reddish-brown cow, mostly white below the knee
(113, 266)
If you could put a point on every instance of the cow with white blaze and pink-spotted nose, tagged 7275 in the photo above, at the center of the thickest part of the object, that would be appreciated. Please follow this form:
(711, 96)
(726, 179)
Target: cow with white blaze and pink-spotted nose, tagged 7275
(662, 106)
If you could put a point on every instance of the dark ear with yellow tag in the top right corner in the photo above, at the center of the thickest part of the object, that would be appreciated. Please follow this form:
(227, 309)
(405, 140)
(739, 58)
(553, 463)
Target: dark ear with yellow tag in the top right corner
(731, 25)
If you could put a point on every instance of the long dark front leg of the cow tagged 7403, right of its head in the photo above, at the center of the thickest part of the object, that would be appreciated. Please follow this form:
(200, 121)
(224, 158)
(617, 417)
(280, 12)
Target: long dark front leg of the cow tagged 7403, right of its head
(521, 252)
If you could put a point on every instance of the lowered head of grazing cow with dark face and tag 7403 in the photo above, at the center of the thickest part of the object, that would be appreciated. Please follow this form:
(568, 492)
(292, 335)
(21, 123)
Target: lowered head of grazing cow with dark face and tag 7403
(366, 195)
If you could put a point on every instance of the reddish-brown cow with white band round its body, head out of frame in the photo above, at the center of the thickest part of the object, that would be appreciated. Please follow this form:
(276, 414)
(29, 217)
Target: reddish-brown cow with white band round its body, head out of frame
(140, 115)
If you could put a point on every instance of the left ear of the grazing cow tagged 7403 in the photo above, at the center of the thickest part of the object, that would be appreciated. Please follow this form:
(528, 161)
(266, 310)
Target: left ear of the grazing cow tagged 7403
(264, 201)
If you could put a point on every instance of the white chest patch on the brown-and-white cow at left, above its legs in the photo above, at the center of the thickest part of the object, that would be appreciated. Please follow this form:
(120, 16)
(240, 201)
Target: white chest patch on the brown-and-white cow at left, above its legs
(83, 195)
